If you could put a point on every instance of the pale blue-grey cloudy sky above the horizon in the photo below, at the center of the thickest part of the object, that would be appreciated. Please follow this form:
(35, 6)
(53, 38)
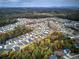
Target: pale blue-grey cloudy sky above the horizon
(39, 3)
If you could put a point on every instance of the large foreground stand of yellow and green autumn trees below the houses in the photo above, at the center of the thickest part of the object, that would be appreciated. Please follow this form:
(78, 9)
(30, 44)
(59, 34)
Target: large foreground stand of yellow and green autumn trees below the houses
(41, 49)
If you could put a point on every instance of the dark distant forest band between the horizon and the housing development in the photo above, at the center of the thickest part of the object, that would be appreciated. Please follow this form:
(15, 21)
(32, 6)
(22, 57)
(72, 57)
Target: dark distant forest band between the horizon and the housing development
(68, 13)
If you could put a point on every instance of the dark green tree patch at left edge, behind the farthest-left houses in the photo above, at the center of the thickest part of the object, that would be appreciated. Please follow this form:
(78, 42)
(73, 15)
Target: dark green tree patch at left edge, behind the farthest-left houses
(6, 20)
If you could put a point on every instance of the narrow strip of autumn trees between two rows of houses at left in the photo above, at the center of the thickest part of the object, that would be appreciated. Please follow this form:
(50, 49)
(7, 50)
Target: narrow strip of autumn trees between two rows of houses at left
(17, 31)
